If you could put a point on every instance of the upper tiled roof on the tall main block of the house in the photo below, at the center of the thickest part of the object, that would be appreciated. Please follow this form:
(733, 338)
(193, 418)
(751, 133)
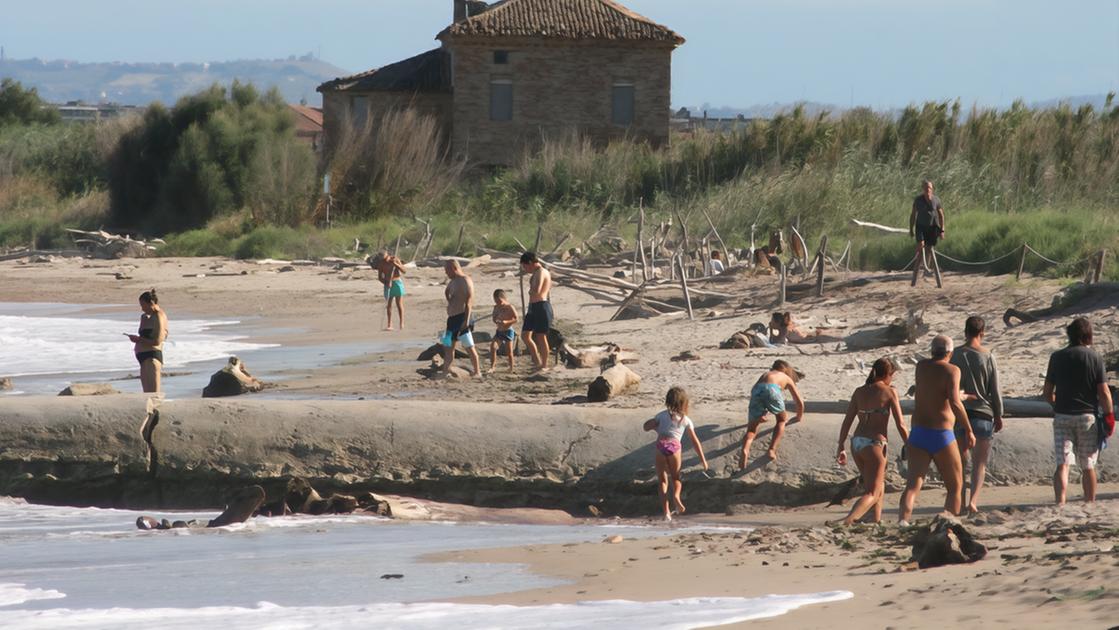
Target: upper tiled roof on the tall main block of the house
(562, 20)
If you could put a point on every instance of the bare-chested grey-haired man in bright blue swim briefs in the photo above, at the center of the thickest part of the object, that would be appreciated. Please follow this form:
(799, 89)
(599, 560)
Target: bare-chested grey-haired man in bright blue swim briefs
(938, 409)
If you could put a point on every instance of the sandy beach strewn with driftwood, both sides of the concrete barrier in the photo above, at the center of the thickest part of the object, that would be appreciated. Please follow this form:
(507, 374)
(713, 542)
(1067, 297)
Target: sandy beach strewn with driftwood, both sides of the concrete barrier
(1047, 567)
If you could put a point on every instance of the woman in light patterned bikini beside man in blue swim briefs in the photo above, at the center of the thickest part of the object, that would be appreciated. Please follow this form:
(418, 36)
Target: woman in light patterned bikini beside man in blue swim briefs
(873, 405)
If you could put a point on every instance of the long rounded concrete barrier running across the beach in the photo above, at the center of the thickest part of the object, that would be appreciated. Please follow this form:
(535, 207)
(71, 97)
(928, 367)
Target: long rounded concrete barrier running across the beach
(126, 452)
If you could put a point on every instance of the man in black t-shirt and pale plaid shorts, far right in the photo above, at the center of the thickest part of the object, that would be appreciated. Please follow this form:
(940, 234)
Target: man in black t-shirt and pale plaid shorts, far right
(1077, 387)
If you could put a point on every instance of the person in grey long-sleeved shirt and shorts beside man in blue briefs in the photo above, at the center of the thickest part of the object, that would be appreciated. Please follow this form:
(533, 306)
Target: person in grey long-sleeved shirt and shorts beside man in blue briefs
(982, 400)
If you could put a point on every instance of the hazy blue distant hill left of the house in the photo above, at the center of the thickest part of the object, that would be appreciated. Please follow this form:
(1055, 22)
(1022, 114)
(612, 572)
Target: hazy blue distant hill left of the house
(140, 84)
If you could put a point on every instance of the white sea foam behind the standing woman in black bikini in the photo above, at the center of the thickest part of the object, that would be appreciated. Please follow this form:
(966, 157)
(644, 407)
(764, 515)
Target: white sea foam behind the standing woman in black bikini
(35, 345)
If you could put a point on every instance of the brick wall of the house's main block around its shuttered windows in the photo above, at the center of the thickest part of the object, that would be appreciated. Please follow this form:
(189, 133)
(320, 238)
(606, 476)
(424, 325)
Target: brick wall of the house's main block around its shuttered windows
(557, 88)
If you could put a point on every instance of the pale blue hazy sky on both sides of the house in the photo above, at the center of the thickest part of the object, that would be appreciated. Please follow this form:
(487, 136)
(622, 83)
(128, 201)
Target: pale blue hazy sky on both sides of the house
(740, 53)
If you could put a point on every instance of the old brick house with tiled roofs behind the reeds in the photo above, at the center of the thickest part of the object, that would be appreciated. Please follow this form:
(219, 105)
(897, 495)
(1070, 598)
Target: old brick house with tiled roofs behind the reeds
(511, 74)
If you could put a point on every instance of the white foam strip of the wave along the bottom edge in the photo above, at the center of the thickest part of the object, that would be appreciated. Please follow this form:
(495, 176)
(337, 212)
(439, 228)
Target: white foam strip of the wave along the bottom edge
(675, 615)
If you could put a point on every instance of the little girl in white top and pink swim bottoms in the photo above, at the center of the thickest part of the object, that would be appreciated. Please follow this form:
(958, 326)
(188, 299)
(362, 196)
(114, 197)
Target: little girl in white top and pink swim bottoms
(671, 426)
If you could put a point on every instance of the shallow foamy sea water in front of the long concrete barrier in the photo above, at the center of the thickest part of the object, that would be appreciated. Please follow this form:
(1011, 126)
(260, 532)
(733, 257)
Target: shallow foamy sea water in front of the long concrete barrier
(87, 568)
